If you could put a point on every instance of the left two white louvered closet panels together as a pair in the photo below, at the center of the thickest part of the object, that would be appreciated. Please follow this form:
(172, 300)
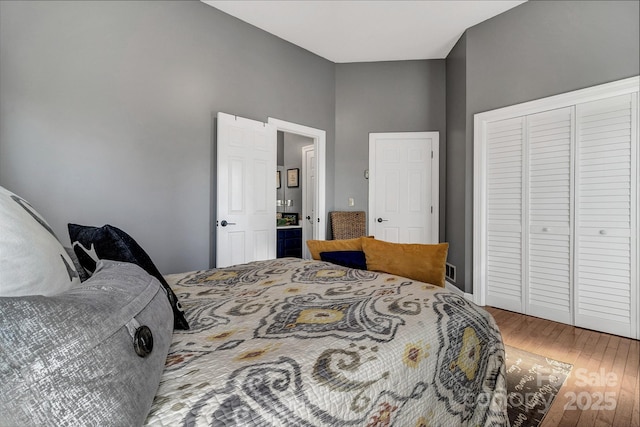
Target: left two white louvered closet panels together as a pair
(529, 225)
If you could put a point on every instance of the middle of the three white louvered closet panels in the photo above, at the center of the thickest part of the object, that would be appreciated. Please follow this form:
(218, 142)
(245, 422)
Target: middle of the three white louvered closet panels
(549, 143)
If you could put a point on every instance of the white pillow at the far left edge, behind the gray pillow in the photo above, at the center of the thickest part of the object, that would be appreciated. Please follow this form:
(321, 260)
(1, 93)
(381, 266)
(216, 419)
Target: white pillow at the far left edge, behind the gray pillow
(32, 259)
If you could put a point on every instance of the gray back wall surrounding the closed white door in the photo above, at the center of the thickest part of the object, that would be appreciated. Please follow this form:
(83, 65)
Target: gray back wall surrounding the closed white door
(401, 96)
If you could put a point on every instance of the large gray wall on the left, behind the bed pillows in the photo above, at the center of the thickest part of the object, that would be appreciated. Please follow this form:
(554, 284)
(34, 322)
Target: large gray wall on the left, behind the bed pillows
(106, 112)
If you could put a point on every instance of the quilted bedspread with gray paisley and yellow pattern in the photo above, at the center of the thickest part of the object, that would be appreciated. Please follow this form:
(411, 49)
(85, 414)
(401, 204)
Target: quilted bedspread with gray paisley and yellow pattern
(290, 342)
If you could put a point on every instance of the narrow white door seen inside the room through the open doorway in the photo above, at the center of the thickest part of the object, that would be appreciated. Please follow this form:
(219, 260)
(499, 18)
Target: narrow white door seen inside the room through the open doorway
(308, 197)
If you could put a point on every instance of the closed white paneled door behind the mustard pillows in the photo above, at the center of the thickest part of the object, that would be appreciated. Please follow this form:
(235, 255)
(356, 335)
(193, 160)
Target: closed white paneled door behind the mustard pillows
(403, 187)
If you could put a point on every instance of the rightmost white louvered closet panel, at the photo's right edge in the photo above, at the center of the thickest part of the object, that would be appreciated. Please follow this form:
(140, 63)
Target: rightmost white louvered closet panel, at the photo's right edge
(606, 242)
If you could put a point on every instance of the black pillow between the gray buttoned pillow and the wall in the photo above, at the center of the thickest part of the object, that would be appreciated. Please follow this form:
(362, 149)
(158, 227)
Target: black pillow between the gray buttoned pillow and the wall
(108, 242)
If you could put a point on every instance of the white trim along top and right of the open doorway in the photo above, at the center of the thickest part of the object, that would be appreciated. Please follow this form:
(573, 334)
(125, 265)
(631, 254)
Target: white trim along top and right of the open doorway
(319, 142)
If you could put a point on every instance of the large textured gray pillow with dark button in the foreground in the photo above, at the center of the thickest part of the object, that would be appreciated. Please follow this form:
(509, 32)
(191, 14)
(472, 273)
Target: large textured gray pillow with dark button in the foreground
(92, 355)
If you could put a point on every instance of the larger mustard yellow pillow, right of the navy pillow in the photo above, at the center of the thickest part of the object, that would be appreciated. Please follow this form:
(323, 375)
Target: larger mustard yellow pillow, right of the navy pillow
(425, 263)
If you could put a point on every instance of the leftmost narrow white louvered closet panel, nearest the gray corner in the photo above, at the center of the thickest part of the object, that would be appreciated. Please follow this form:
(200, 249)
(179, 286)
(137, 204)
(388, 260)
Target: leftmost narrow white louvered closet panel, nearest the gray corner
(504, 270)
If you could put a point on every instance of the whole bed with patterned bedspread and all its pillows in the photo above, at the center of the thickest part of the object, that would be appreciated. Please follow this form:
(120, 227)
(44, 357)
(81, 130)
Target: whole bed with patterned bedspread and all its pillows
(95, 335)
